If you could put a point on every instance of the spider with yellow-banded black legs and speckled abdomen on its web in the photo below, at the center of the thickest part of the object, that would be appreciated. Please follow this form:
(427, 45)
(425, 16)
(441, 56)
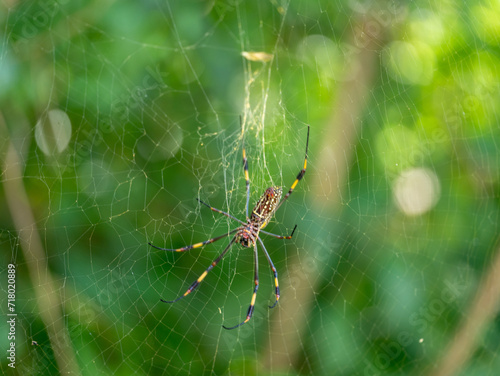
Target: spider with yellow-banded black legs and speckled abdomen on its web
(248, 234)
